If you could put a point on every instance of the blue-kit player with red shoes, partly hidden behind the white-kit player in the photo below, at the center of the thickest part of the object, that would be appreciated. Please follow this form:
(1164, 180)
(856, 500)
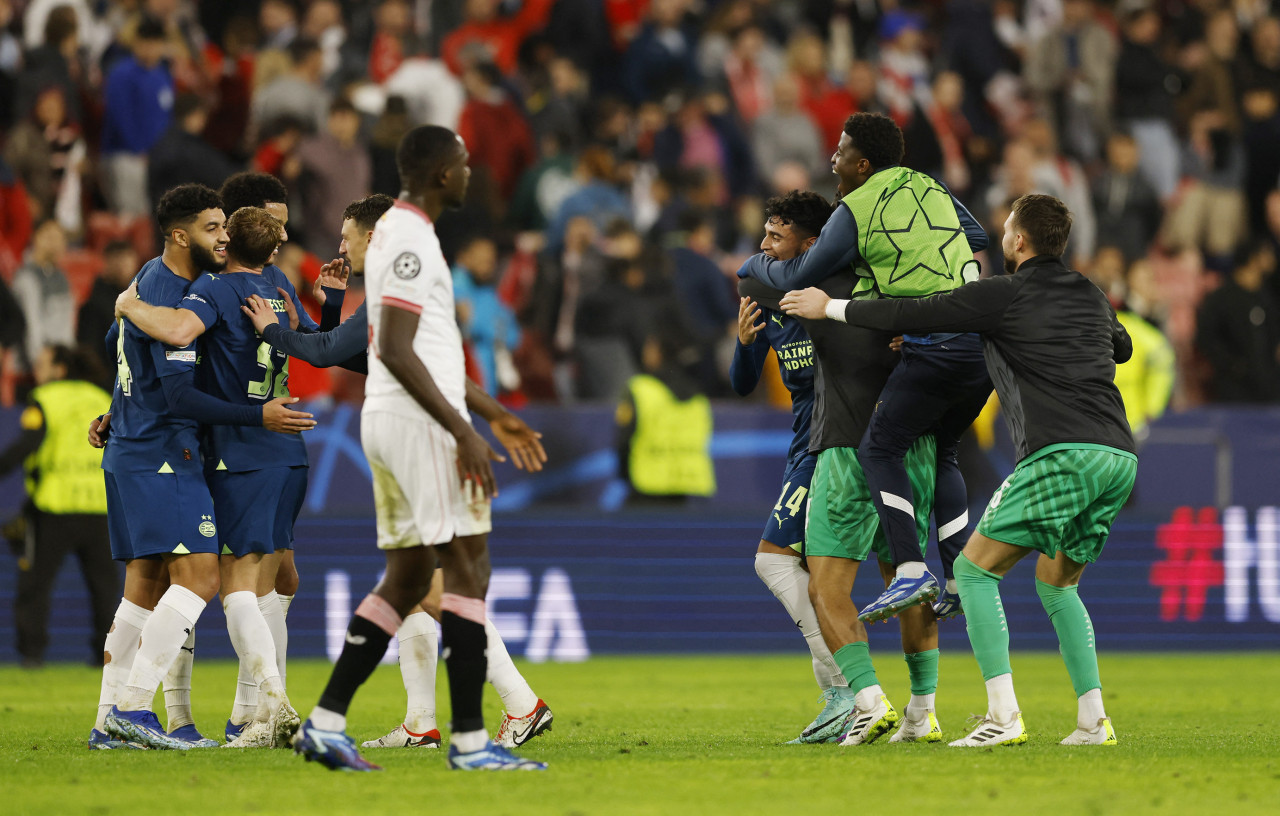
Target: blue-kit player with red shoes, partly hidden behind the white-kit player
(419, 650)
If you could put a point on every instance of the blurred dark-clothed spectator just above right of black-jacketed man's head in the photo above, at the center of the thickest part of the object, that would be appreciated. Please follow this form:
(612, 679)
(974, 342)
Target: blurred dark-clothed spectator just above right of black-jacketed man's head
(1127, 207)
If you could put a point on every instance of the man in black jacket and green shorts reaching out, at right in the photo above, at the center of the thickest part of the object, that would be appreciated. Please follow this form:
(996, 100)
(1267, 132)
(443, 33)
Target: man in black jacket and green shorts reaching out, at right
(1055, 341)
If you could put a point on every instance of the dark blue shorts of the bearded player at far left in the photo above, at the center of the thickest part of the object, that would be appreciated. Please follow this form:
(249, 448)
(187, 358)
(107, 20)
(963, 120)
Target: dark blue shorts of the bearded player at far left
(153, 515)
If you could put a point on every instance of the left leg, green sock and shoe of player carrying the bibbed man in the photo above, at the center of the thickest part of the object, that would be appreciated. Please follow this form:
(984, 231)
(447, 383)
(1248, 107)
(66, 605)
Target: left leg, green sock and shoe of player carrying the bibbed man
(831, 584)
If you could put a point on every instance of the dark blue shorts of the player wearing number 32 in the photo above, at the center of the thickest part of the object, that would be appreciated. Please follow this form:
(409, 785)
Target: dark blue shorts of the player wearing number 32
(258, 508)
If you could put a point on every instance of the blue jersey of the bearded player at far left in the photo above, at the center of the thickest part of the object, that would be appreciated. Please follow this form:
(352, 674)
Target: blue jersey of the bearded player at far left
(145, 437)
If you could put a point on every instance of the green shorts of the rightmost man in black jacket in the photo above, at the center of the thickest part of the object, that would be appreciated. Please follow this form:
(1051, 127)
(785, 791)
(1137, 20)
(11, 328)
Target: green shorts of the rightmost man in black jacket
(1062, 501)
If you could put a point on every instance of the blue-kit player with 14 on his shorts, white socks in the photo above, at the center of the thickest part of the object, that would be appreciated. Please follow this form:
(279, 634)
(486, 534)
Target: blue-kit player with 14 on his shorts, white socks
(792, 226)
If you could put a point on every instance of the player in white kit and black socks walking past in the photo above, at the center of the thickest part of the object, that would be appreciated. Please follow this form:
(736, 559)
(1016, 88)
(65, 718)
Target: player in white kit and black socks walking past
(432, 470)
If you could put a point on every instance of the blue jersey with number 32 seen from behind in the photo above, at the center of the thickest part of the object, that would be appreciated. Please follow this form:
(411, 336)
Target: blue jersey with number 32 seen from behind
(237, 366)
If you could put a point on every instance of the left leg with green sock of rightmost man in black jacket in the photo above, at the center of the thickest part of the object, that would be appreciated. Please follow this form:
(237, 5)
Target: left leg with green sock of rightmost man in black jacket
(979, 572)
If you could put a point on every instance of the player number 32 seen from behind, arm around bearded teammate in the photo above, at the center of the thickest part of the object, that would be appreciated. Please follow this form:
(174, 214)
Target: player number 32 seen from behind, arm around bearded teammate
(258, 480)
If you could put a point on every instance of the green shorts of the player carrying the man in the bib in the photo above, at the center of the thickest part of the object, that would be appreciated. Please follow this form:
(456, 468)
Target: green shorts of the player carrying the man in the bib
(842, 520)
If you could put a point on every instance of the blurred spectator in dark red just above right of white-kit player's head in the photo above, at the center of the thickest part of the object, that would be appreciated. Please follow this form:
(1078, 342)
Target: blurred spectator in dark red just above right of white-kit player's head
(496, 134)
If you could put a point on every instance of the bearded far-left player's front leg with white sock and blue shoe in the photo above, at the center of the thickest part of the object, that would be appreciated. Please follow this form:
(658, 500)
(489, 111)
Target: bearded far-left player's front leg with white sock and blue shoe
(194, 583)
